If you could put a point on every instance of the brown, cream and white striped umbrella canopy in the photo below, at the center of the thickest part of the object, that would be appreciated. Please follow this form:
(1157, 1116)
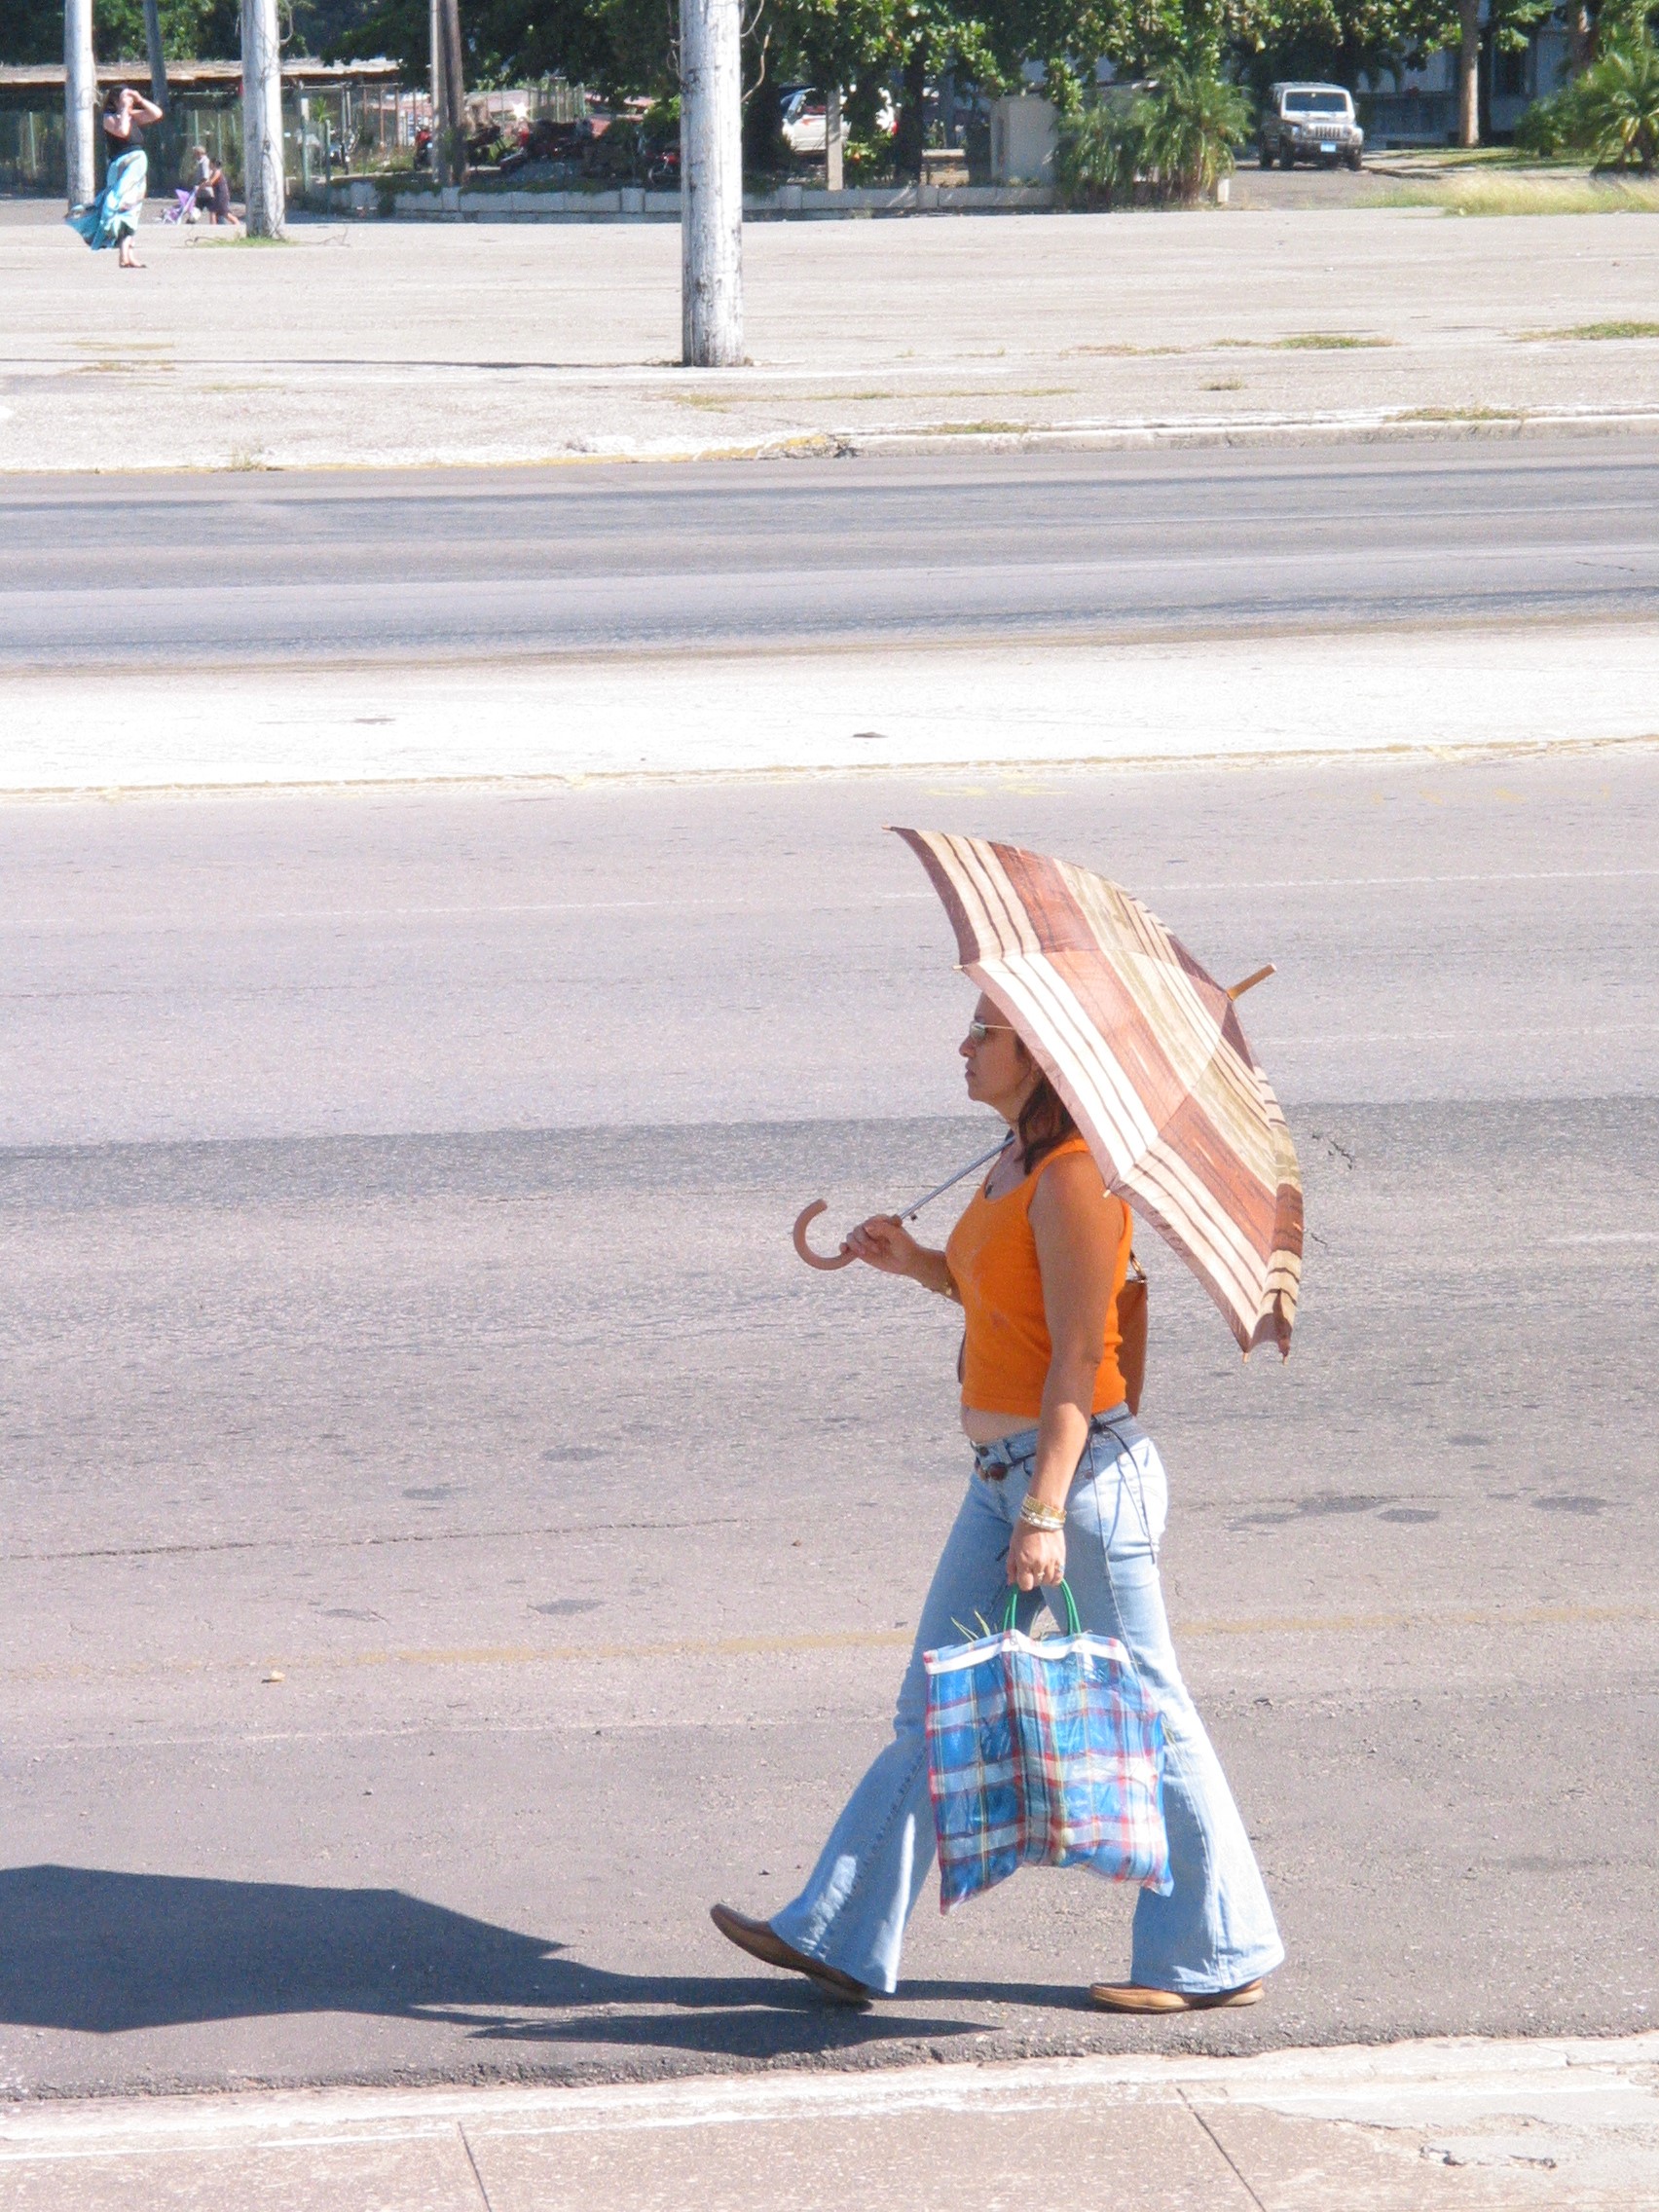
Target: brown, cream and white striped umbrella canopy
(1147, 1052)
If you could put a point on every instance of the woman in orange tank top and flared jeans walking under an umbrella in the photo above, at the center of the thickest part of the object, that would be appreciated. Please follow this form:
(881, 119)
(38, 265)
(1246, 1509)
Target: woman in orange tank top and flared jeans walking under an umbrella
(1065, 1485)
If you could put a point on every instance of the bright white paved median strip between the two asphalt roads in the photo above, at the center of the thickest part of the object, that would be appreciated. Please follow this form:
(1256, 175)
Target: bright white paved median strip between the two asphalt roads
(1027, 709)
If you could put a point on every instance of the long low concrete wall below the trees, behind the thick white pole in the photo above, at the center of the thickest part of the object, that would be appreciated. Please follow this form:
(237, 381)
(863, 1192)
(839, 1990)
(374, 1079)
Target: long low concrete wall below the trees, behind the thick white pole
(632, 205)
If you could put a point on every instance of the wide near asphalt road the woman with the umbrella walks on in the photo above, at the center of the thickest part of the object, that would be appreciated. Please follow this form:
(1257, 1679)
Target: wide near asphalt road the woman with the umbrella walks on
(399, 1302)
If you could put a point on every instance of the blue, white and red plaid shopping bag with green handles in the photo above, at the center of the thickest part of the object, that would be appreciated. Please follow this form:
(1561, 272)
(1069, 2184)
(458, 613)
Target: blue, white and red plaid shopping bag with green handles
(1043, 1753)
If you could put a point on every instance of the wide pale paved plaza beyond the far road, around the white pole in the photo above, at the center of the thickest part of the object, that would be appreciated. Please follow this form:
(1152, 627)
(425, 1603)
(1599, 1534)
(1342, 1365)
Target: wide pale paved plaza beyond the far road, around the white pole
(395, 344)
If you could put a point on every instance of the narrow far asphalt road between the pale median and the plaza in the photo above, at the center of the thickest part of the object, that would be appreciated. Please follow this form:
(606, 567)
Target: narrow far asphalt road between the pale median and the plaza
(448, 565)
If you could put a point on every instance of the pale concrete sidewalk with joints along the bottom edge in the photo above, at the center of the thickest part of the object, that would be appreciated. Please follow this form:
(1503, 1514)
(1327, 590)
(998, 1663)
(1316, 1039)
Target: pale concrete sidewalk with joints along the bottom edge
(1501, 2127)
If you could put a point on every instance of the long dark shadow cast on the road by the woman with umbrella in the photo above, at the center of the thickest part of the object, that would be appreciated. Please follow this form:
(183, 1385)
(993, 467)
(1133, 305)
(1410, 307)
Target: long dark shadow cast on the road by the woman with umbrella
(107, 1954)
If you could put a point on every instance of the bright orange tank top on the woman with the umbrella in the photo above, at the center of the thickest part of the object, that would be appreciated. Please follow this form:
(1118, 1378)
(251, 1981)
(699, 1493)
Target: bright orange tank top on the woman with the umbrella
(992, 1255)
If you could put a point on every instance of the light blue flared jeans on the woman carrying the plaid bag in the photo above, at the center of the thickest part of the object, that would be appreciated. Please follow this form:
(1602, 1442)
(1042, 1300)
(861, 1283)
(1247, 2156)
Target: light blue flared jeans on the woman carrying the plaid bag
(1215, 1930)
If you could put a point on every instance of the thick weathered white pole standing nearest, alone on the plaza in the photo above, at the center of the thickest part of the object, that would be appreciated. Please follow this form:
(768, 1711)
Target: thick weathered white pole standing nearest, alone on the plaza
(711, 185)
